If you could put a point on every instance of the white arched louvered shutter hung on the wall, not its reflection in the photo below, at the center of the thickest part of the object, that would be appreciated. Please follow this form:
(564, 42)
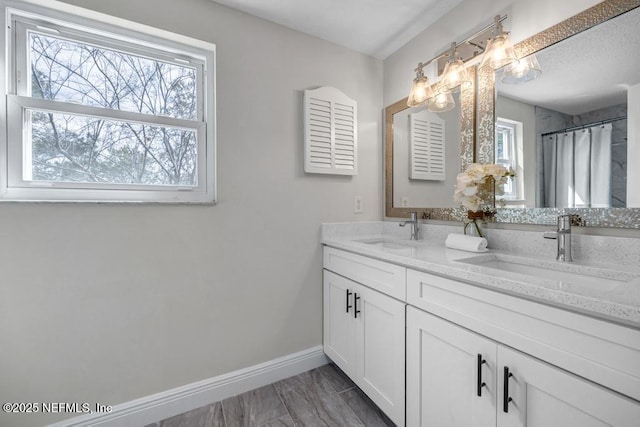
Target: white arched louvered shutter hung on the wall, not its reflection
(330, 132)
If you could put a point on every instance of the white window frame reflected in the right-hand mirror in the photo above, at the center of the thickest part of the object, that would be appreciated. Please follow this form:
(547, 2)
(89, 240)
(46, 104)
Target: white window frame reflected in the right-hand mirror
(514, 158)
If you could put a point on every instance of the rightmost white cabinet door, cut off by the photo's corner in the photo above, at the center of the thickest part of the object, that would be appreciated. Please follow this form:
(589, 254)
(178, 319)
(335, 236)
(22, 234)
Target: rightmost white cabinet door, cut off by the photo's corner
(545, 396)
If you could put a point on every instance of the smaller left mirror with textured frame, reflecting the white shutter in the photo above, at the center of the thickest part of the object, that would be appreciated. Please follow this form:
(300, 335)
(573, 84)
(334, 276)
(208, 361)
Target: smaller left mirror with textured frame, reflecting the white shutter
(408, 187)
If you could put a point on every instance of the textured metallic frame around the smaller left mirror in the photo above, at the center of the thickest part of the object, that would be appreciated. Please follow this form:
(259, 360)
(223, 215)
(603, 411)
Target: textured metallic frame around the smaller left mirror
(467, 154)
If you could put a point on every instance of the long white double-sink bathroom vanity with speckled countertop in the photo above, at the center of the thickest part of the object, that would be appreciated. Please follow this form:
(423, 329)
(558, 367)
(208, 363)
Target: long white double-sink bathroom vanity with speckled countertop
(441, 337)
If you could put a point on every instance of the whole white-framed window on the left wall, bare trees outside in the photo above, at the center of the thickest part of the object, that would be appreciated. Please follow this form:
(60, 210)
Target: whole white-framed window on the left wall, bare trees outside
(101, 112)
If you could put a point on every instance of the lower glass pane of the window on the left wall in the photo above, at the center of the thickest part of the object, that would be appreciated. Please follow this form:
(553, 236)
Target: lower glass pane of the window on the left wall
(68, 148)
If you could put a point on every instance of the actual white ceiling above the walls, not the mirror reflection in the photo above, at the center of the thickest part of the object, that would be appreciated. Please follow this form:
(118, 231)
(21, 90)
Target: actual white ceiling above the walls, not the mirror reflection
(374, 27)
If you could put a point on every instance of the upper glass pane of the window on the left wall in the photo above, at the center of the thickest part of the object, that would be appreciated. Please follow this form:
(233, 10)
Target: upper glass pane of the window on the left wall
(68, 71)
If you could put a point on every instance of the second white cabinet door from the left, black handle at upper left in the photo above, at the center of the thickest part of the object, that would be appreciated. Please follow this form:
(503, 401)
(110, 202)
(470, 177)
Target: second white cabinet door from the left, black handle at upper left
(380, 351)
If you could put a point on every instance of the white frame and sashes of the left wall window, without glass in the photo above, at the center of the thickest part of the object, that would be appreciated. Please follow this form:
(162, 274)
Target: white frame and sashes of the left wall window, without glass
(80, 24)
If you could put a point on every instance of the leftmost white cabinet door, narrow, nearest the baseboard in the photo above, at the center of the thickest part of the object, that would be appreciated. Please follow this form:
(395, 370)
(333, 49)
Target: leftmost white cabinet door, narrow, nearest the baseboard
(339, 323)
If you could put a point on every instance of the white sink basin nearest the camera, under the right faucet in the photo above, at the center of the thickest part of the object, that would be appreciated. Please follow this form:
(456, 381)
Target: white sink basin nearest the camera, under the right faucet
(566, 276)
